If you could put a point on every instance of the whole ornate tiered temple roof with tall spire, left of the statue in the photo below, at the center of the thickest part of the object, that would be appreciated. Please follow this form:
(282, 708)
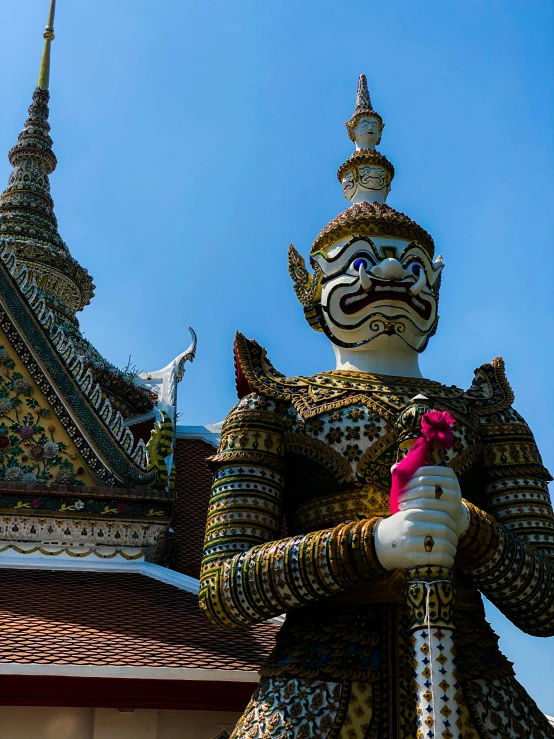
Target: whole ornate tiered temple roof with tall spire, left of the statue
(103, 503)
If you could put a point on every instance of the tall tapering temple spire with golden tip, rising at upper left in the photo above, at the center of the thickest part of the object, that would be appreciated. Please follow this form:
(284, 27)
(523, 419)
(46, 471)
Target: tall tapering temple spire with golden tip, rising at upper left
(27, 217)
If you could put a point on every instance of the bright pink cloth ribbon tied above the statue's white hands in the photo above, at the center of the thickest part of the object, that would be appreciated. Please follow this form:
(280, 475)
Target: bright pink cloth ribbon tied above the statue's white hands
(435, 426)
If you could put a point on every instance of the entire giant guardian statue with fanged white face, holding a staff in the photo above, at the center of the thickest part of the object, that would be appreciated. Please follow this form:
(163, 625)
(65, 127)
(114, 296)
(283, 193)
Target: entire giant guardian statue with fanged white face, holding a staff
(385, 634)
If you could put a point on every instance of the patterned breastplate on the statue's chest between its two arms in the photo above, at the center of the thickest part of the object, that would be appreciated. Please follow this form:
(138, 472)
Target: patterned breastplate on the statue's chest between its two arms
(339, 455)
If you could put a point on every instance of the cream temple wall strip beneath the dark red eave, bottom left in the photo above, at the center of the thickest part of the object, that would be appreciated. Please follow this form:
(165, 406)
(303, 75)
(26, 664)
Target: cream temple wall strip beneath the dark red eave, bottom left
(110, 723)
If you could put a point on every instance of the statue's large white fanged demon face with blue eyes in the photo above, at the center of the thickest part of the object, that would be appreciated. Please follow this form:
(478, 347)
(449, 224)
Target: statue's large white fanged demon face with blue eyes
(378, 287)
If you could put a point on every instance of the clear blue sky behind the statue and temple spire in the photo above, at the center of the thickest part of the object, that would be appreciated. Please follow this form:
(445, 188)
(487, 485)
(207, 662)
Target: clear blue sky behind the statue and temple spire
(197, 140)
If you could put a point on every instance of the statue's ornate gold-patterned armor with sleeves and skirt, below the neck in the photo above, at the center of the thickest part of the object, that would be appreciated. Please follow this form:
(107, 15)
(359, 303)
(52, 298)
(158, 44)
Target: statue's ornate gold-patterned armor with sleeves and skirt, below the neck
(317, 452)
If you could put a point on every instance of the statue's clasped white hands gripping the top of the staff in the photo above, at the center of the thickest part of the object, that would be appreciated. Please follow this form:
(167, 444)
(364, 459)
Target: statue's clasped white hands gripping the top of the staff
(428, 525)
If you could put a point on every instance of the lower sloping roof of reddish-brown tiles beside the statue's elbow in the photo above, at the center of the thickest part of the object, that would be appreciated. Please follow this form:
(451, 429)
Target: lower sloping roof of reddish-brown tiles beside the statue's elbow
(91, 618)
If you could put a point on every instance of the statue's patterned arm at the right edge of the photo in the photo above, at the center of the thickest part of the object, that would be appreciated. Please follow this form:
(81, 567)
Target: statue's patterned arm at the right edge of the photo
(509, 549)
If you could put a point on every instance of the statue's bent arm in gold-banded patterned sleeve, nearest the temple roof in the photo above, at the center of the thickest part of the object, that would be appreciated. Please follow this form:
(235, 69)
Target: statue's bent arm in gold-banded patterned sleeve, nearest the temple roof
(248, 575)
